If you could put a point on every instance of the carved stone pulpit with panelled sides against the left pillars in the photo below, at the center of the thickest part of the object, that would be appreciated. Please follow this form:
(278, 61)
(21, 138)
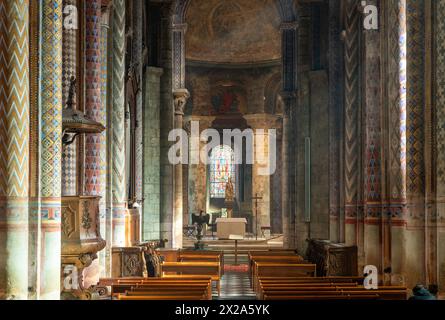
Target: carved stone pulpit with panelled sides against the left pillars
(81, 240)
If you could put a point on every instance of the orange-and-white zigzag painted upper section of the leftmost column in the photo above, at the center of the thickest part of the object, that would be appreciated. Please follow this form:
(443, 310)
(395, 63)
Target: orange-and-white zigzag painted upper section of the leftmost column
(14, 98)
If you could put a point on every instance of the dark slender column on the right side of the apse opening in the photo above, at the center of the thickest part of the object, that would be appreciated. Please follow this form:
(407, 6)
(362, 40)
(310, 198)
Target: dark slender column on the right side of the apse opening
(289, 33)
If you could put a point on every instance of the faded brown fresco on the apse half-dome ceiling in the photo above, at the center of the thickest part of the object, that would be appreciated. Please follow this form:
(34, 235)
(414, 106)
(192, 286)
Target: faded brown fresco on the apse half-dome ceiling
(233, 31)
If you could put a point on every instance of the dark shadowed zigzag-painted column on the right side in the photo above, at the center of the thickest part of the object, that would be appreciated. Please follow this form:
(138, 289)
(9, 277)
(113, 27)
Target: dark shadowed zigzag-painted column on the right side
(352, 106)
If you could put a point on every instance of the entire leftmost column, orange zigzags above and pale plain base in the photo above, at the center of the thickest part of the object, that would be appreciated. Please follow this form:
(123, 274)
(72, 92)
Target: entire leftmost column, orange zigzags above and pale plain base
(14, 148)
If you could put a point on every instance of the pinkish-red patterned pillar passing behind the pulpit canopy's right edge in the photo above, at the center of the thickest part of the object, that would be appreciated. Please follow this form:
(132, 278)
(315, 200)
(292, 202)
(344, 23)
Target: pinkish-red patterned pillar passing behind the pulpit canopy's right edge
(94, 143)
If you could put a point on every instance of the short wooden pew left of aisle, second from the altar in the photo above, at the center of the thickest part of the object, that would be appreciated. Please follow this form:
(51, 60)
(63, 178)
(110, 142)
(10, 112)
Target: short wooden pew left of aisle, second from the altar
(193, 269)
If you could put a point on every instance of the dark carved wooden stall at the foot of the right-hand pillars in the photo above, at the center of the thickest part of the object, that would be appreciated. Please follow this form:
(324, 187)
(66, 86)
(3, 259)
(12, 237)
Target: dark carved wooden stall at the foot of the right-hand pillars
(332, 259)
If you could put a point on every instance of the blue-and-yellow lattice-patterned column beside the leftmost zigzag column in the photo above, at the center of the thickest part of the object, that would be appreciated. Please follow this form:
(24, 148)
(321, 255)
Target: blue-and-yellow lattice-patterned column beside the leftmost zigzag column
(51, 149)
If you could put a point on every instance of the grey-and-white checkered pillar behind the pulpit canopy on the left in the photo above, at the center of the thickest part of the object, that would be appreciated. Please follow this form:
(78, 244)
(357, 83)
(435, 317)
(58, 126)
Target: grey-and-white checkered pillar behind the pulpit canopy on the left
(70, 56)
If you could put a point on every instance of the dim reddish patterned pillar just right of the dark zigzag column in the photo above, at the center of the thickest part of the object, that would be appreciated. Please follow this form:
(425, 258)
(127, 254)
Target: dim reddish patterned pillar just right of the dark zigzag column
(370, 252)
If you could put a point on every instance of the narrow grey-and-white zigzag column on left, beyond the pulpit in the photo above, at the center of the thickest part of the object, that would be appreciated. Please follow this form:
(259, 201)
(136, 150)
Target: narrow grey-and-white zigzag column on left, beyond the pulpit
(118, 123)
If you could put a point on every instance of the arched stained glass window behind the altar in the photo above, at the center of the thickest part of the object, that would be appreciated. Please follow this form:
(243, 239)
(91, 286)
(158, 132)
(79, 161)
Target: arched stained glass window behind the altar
(222, 167)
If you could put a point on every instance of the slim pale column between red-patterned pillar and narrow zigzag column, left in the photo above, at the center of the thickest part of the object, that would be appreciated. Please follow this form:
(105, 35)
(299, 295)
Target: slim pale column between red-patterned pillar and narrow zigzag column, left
(105, 215)
